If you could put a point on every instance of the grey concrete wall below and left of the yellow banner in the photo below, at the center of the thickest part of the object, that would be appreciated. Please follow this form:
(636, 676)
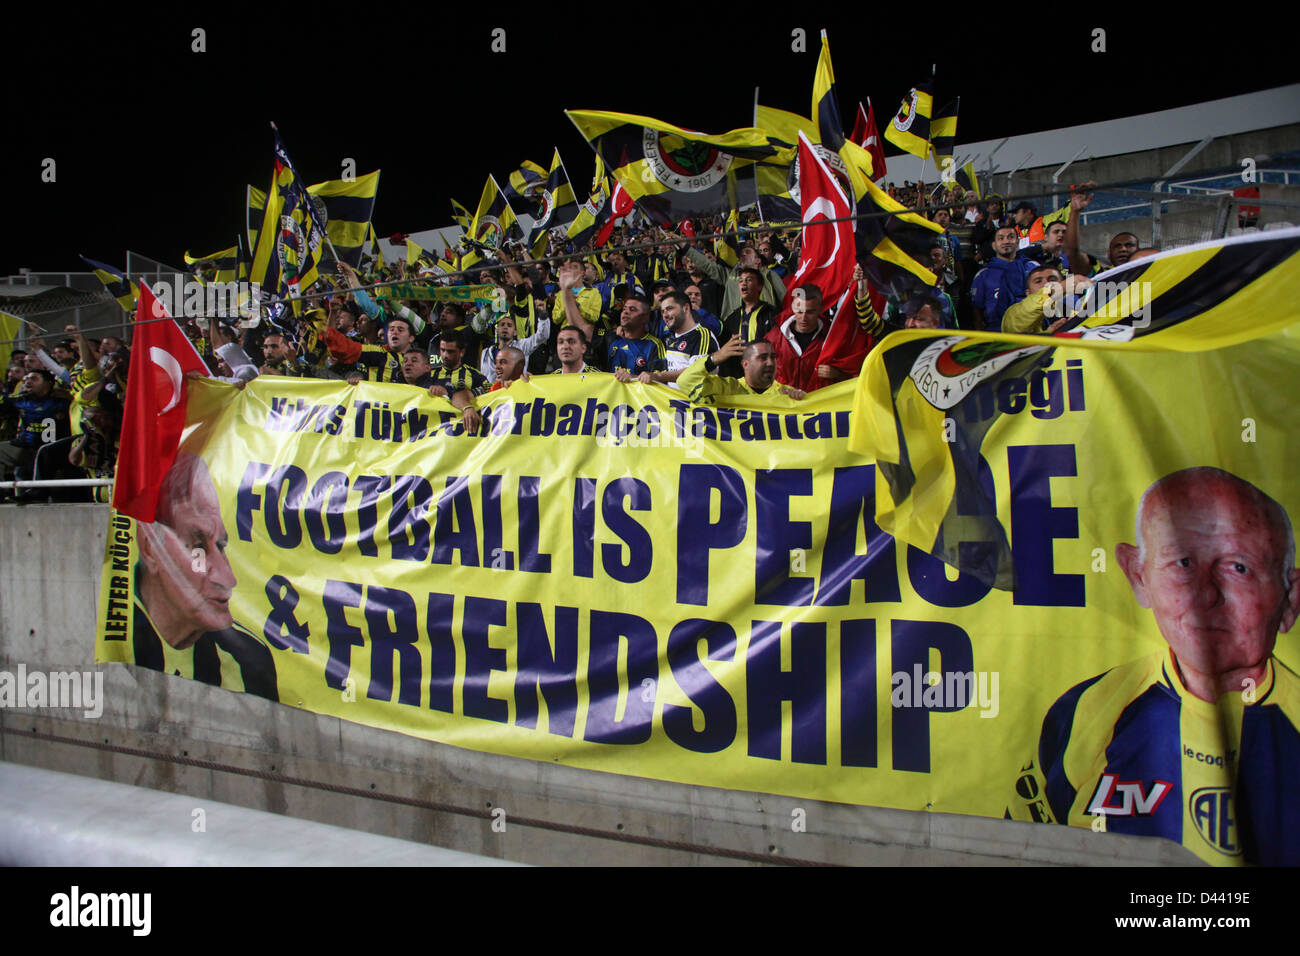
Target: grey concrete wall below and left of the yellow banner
(185, 738)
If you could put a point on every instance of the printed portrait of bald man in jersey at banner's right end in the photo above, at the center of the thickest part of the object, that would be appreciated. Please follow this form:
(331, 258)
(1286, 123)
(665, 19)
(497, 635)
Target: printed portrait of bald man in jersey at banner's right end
(1198, 742)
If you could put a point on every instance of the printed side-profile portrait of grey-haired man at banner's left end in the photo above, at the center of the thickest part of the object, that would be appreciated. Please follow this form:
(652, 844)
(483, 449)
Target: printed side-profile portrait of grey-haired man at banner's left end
(184, 585)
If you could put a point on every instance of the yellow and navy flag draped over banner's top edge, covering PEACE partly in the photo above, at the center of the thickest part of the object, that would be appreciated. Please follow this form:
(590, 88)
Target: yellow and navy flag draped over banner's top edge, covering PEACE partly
(928, 399)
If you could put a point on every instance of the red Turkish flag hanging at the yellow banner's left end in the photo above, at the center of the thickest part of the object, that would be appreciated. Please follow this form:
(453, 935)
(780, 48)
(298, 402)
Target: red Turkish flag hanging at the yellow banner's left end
(154, 414)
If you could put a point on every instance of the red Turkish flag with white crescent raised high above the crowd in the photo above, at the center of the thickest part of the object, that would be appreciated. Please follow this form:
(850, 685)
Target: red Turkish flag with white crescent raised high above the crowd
(827, 252)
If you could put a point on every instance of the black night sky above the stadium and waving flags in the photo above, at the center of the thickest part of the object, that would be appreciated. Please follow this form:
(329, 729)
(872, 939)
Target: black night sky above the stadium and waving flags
(154, 144)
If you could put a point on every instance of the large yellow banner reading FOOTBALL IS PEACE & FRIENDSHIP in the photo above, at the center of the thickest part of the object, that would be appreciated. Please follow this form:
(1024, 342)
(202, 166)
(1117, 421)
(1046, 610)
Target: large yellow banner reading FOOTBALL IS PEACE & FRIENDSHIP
(612, 578)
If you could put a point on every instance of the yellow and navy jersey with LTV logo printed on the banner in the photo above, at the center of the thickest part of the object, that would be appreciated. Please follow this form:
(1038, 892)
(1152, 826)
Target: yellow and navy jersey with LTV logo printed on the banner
(1133, 746)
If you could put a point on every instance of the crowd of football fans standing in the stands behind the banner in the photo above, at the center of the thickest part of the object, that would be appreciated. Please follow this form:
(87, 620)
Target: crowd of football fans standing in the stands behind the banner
(657, 305)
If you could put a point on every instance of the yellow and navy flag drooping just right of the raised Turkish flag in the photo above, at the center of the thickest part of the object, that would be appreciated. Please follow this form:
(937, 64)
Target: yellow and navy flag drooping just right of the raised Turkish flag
(894, 245)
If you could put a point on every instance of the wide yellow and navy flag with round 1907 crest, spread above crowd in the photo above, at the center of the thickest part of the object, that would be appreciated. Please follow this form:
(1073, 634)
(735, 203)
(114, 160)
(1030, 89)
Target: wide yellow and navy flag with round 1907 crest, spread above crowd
(670, 172)
